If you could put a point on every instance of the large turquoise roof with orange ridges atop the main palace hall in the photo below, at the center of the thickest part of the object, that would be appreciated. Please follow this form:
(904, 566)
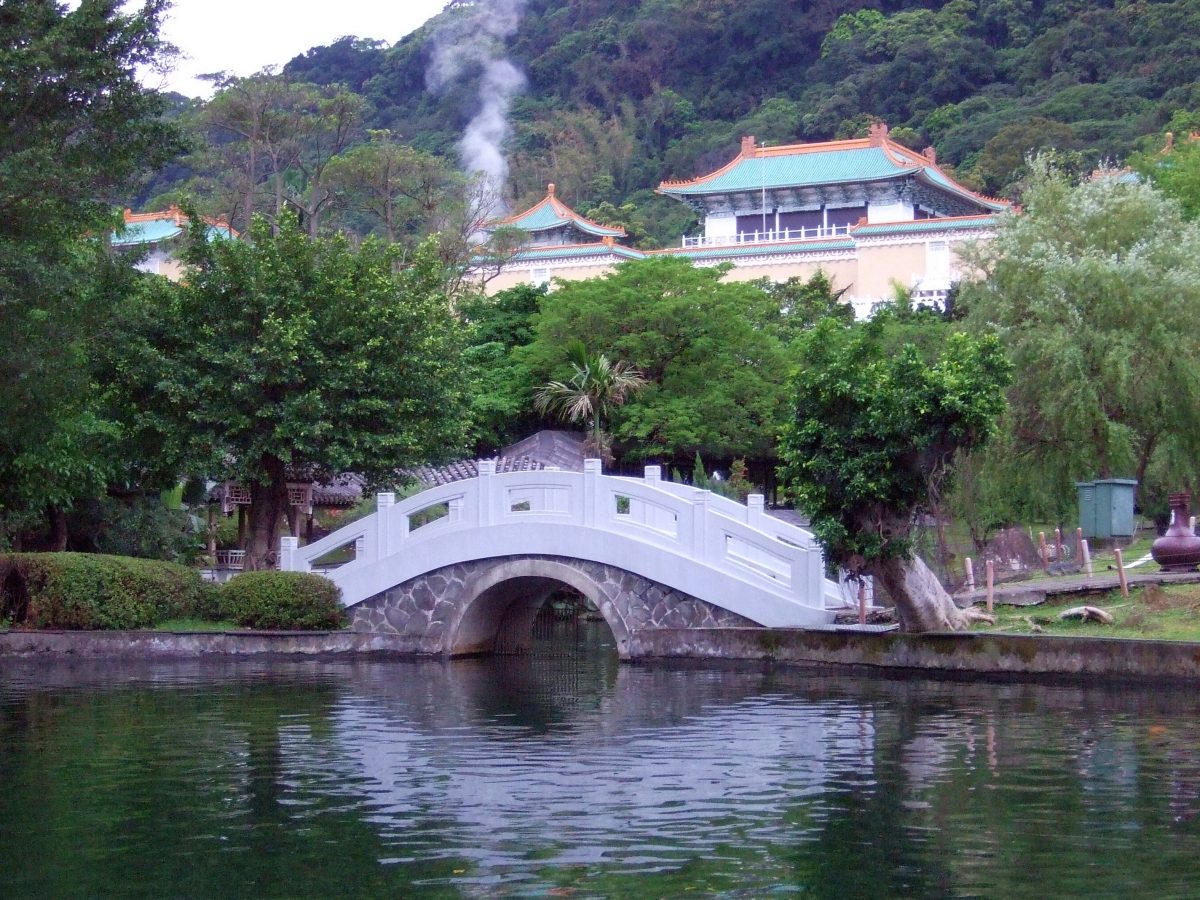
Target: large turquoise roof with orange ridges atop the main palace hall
(836, 163)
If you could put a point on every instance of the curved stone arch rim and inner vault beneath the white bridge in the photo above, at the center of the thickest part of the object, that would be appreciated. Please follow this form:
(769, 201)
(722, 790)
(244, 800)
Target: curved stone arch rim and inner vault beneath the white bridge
(500, 615)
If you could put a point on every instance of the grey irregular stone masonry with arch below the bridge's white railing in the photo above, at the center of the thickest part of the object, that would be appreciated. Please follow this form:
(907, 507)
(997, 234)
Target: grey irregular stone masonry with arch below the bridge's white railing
(489, 605)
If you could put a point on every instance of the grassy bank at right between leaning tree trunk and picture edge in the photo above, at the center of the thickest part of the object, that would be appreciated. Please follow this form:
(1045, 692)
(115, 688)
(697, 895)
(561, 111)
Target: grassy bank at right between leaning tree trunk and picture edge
(1154, 613)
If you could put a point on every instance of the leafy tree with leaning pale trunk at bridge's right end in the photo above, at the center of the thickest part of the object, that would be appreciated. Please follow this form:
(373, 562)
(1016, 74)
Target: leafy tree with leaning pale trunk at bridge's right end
(877, 428)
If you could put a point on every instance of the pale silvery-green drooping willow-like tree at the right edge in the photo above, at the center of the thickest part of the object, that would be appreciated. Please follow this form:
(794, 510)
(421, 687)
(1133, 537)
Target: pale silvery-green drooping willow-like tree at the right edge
(1095, 291)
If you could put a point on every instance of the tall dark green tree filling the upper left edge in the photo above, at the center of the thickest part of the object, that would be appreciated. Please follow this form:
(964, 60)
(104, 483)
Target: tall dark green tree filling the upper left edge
(76, 131)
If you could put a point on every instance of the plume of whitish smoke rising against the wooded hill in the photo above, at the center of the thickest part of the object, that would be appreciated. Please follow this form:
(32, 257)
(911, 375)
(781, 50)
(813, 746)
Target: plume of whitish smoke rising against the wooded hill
(476, 43)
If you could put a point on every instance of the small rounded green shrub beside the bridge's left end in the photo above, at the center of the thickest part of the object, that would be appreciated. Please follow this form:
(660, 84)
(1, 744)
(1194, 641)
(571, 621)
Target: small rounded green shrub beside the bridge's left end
(283, 601)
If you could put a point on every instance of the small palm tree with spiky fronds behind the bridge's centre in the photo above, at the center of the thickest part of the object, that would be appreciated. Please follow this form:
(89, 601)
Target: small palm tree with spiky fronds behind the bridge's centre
(598, 386)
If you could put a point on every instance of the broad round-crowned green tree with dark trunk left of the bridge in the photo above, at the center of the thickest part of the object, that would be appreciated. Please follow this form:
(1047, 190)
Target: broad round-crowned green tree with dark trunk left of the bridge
(286, 358)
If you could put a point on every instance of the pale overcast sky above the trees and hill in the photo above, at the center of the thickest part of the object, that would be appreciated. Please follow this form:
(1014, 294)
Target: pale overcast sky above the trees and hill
(243, 37)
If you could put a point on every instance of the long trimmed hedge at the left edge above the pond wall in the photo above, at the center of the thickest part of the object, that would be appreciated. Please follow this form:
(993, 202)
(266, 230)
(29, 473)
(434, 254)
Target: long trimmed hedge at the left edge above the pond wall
(92, 591)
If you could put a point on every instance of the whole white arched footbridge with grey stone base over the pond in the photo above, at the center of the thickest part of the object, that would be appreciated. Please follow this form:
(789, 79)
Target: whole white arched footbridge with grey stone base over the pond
(650, 554)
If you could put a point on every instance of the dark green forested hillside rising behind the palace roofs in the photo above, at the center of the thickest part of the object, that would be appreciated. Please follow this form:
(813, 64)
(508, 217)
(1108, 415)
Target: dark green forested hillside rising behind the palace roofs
(622, 94)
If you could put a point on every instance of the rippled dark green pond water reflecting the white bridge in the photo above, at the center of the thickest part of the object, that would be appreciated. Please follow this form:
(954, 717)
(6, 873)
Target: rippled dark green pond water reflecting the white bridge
(566, 775)
